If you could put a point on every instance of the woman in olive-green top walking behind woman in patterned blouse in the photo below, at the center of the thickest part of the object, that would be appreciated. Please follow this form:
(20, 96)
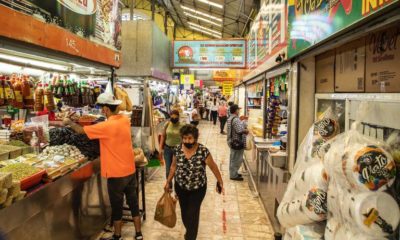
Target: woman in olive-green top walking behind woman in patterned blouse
(171, 138)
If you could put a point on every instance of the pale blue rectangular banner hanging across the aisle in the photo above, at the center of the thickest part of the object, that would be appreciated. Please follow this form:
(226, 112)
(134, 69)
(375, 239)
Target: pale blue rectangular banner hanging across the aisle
(210, 54)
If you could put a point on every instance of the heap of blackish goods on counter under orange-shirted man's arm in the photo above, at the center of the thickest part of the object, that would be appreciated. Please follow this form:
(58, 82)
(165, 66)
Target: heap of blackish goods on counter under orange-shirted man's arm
(87, 147)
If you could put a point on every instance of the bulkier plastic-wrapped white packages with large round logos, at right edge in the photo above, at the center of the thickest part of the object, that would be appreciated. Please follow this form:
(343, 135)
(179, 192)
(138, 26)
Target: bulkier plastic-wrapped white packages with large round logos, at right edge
(360, 169)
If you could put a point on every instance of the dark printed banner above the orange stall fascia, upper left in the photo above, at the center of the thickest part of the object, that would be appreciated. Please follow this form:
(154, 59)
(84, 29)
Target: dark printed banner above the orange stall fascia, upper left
(97, 20)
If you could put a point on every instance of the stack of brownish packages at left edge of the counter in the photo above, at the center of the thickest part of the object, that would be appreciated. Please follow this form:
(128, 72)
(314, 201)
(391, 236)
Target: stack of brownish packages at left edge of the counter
(10, 190)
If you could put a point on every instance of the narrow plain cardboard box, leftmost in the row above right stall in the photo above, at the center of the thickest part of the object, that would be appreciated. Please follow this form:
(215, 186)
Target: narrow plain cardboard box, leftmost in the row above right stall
(324, 72)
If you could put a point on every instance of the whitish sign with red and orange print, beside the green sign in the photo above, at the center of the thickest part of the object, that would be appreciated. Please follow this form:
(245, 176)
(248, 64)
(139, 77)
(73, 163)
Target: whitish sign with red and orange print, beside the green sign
(268, 33)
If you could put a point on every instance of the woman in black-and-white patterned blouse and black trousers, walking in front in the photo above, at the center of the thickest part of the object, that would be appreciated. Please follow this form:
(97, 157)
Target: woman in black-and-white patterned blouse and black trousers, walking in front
(189, 169)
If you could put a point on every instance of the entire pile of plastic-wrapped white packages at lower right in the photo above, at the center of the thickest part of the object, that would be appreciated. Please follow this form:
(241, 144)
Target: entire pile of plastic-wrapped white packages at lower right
(337, 188)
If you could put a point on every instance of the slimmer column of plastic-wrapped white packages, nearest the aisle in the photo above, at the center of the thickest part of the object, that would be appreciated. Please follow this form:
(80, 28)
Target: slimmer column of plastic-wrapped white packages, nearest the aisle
(304, 201)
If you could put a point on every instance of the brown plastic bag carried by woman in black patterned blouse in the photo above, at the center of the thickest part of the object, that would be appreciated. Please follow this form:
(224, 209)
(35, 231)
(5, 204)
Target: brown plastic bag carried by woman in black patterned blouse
(165, 210)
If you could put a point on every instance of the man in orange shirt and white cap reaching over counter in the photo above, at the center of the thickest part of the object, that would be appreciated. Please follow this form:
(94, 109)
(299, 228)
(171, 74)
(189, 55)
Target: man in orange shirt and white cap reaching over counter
(116, 160)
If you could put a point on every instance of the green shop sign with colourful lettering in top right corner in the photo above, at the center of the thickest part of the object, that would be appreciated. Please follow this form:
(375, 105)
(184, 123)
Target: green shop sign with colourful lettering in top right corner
(312, 23)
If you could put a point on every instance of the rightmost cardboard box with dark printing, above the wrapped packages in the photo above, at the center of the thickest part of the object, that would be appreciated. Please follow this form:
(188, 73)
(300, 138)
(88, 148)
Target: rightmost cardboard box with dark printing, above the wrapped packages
(383, 61)
